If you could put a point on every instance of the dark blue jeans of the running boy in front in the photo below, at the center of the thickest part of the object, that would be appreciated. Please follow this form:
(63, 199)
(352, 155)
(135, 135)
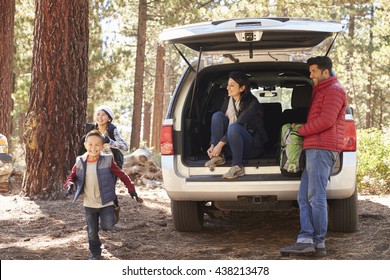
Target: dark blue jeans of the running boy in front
(107, 220)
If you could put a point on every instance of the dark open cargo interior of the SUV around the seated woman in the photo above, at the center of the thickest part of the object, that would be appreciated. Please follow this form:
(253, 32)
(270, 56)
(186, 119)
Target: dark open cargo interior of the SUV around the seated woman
(283, 90)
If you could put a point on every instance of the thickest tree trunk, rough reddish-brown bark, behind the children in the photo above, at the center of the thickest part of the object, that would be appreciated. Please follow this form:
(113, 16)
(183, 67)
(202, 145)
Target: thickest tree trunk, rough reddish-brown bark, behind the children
(58, 95)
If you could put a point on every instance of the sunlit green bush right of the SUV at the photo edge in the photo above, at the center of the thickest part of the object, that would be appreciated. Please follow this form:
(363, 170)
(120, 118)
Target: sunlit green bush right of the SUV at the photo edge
(373, 175)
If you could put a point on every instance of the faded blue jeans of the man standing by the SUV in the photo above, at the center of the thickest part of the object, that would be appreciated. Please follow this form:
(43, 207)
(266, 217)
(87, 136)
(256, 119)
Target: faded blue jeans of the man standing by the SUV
(312, 196)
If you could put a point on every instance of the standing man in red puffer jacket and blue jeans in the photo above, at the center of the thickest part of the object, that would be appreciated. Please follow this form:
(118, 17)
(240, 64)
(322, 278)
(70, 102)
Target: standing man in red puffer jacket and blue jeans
(323, 141)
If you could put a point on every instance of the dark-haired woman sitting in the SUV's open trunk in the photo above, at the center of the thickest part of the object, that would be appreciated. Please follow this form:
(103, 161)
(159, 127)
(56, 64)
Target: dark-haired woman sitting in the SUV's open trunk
(237, 128)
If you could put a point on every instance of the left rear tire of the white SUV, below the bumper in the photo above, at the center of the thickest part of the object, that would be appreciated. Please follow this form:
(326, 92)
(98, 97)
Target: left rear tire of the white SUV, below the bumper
(187, 215)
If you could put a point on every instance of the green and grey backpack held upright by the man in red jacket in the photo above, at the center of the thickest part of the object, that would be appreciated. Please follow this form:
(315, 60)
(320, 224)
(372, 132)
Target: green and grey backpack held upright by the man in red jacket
(292, 158)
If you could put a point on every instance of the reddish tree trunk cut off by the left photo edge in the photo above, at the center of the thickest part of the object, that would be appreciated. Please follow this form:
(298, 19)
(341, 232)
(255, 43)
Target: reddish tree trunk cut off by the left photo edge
(7, 15)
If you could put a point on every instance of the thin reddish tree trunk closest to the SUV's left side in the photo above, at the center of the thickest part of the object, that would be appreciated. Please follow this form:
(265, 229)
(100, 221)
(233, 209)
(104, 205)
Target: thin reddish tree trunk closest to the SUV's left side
(158, 98)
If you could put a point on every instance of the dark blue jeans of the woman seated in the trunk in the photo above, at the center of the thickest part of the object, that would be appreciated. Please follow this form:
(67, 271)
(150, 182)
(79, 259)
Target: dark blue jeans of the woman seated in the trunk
(240, 143)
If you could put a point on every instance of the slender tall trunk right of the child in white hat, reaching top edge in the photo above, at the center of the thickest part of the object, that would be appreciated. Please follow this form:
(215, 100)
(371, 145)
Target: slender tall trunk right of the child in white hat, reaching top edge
(139, 75)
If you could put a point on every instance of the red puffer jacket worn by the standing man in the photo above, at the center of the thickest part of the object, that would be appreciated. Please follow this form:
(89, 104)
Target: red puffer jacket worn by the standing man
(326, 119)
